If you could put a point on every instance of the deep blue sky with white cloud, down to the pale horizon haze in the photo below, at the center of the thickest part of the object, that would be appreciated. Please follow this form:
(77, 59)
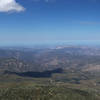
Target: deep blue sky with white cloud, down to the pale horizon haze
(48, 21)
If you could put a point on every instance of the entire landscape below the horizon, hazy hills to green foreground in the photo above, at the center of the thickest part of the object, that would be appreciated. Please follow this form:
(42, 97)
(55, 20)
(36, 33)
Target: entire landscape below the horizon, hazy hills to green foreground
(60, 73)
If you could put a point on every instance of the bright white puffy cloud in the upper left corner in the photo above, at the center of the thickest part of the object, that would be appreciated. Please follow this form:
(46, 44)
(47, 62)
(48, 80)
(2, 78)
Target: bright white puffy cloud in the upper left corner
(10, 6)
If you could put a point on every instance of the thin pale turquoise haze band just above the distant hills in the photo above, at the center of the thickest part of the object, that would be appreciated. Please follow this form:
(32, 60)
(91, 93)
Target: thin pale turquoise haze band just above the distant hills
(60, 43)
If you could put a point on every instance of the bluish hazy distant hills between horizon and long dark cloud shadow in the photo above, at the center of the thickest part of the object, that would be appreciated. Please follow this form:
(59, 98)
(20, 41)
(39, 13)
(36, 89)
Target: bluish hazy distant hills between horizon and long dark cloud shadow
(65, 57)
